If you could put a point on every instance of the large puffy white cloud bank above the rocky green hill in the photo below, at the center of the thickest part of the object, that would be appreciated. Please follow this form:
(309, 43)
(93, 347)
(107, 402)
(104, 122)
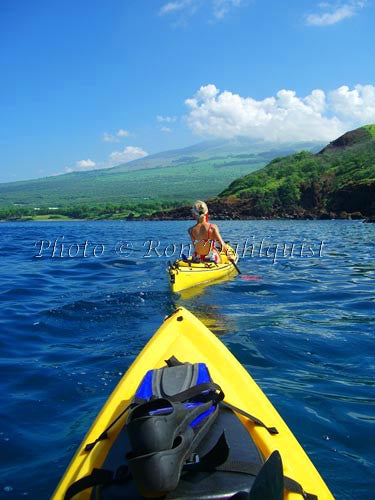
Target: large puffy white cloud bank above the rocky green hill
(281, 118)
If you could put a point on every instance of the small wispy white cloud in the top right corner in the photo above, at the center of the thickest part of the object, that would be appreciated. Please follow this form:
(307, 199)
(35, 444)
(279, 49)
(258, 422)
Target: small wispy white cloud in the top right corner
(332, 13)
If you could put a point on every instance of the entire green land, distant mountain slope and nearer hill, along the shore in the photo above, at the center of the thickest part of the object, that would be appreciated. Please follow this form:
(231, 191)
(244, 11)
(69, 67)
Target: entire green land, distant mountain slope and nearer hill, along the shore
(337, 181)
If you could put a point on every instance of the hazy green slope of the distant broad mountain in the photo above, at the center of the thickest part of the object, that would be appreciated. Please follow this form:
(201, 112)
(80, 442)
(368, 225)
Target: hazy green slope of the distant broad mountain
(200, 171)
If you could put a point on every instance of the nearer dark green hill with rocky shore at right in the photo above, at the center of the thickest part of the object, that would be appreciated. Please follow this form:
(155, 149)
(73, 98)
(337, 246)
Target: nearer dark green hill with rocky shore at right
(340, 178)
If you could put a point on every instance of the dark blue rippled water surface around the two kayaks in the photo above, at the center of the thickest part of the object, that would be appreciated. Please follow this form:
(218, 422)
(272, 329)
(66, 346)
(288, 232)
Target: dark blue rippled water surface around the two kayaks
(71, 326)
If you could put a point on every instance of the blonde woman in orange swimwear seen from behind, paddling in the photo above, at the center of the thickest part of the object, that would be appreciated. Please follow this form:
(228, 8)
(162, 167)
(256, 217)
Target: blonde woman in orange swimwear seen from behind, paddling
(204, 234)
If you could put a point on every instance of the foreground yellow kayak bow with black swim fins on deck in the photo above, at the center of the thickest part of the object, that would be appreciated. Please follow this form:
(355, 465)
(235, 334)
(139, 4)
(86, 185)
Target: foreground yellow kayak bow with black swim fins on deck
(247, 424)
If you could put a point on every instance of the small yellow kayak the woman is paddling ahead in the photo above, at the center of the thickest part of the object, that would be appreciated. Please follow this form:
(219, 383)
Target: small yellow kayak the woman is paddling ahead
(186, 273)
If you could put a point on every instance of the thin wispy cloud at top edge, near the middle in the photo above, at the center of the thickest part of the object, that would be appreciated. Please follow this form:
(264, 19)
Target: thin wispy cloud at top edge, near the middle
(218, 8)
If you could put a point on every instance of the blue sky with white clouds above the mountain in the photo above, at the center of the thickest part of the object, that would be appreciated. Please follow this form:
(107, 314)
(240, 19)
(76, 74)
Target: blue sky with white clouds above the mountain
(91, 83)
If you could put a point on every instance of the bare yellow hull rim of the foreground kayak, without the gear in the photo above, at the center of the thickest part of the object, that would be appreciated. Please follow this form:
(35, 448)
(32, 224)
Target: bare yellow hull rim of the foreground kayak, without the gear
(182, 335)
